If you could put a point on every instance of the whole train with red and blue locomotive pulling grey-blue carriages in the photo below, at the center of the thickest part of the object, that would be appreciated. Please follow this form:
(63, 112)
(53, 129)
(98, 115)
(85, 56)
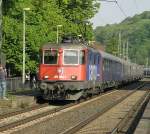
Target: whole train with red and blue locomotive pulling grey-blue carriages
(71, 71)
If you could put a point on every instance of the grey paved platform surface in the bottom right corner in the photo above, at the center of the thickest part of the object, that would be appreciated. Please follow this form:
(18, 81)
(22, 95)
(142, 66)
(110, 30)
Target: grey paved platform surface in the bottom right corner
(144, 124)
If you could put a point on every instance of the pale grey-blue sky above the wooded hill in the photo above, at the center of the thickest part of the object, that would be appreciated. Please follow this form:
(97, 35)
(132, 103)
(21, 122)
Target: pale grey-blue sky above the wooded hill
(110, 13)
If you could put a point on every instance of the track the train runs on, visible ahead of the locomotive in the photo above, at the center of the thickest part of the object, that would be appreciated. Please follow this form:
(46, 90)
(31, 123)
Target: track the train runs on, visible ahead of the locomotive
(5, 124)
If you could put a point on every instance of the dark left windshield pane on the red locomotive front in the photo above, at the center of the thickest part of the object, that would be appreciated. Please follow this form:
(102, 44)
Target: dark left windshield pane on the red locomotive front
(50, 56)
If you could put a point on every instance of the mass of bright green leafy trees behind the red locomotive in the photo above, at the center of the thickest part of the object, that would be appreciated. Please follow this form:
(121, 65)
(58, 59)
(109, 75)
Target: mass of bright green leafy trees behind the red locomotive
(41, 22)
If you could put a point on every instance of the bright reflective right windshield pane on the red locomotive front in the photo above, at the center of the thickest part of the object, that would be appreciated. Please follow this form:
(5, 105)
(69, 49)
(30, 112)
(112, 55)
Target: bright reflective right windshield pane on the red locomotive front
(70, 57)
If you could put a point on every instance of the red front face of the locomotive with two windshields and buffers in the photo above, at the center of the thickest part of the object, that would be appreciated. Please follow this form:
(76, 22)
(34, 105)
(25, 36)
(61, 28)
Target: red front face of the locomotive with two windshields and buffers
(62, 71)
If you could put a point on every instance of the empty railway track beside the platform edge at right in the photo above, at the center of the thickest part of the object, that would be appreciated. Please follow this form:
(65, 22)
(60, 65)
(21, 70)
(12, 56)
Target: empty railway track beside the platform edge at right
(100, 124)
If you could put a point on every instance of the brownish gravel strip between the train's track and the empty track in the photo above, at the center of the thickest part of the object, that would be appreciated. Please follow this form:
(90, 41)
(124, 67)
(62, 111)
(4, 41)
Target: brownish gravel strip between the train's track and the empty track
(67, 118)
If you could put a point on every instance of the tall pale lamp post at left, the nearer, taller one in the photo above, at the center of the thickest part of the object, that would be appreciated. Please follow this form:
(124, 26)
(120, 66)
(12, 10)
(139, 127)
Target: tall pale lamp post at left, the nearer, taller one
(23, 67)
